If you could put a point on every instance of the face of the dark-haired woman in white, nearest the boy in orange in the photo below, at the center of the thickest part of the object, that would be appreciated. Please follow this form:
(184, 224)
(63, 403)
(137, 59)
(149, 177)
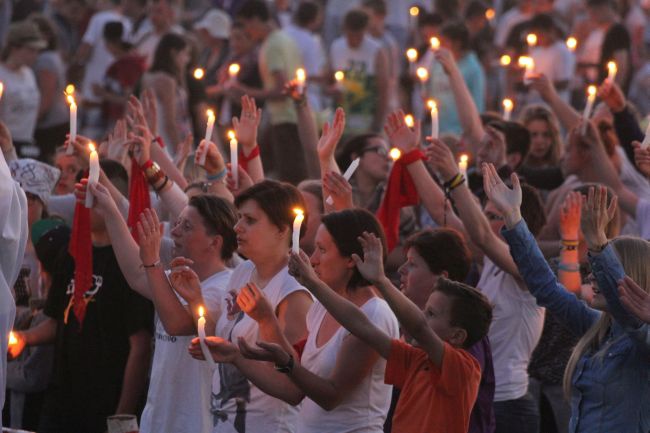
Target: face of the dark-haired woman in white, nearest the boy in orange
(334, 269)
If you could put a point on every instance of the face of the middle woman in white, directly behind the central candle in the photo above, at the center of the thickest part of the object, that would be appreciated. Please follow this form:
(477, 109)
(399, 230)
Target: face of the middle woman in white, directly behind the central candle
(256, 234)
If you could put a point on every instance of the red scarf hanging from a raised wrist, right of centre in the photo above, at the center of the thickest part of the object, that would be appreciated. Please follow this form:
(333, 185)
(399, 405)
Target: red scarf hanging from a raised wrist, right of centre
(400, 192)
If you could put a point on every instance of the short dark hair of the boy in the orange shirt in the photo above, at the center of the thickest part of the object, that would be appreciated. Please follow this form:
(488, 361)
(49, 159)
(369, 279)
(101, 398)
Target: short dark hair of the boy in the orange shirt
(470, 309)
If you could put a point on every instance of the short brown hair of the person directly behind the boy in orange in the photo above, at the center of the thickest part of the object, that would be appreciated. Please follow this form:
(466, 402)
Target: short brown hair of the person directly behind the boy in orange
(443, 250)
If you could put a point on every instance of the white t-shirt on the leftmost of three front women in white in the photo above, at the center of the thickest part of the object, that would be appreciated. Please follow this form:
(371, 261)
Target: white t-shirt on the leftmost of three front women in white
(179, 391)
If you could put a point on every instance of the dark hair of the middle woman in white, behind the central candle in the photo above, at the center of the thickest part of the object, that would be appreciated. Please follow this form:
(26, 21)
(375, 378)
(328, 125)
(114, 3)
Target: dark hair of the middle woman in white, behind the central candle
(277, 200)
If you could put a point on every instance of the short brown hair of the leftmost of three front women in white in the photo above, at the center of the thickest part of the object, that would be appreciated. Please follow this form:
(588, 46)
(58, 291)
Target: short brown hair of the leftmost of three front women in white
(219, 218)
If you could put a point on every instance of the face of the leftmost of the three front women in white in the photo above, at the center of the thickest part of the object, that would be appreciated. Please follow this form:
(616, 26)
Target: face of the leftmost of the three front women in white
(190, 237)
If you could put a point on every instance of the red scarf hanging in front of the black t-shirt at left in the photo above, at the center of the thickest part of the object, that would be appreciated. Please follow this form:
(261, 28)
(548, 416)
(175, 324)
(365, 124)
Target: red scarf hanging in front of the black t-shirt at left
(81, 250)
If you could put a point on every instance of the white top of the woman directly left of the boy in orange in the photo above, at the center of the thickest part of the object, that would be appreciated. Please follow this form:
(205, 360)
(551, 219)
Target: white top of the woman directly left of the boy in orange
(365, 408)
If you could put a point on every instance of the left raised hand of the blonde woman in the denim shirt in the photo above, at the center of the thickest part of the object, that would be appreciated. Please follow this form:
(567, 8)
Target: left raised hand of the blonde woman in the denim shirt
(506, 200)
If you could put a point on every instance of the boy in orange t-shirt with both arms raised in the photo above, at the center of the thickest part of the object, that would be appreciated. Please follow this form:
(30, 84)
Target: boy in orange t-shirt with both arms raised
(439, 380)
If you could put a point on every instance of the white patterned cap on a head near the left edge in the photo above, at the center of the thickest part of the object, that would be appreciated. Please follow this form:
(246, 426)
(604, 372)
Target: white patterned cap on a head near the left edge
(35, 177)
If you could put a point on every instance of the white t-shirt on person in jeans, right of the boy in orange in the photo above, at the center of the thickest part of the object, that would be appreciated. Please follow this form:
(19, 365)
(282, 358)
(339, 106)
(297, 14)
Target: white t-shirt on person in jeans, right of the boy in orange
(516, 327)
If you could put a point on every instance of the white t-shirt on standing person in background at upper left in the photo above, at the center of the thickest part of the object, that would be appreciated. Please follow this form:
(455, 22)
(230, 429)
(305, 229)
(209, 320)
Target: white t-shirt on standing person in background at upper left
(100, 58)
